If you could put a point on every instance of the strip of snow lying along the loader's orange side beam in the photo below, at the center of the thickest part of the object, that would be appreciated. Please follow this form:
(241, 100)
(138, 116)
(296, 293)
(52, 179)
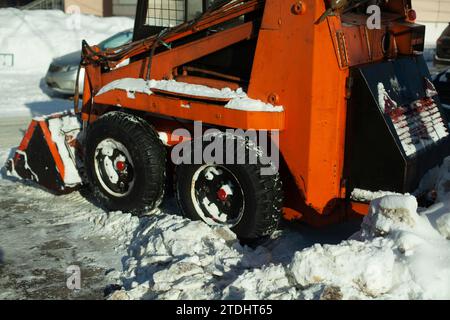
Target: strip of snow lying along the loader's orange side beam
(238, 99)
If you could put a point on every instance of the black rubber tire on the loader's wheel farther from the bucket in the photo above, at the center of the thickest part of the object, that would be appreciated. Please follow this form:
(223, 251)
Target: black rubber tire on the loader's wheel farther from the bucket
(263, 197)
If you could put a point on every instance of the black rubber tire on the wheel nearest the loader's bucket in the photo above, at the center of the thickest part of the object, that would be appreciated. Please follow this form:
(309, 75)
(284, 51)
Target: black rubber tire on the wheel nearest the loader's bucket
(148, 155)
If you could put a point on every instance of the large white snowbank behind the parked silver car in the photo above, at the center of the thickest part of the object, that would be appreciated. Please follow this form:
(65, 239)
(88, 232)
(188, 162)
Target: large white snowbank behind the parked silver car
(36, 37)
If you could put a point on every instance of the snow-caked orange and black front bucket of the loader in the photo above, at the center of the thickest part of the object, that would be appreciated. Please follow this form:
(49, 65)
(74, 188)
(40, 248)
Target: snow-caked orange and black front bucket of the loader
(47, 154)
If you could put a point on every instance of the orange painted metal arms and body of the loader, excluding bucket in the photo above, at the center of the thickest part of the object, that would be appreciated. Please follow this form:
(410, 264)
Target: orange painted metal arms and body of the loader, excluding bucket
(299, 64)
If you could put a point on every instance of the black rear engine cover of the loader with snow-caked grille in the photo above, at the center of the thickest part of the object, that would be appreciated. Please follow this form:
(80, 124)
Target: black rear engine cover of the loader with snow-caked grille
(396, 130)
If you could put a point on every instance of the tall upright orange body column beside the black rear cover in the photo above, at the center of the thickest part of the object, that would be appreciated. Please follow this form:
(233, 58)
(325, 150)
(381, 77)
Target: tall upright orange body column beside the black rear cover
(304, 72)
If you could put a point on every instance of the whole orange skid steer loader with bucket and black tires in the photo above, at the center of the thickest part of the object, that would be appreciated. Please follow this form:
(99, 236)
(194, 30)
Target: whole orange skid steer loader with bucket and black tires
(350, 108)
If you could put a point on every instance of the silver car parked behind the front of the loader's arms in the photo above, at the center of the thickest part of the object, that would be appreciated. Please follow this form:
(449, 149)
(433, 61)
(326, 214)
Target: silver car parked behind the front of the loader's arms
(62, 73)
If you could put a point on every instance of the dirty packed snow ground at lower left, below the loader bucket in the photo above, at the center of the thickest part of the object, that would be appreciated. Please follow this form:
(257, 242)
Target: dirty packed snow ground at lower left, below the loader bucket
(41, 235)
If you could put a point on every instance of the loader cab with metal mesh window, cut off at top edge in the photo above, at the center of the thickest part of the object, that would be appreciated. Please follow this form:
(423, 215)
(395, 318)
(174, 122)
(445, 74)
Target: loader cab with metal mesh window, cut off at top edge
(152, 16)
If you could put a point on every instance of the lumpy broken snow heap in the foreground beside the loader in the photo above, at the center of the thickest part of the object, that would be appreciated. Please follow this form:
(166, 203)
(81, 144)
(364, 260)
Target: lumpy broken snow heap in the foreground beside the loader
(401, 252)
